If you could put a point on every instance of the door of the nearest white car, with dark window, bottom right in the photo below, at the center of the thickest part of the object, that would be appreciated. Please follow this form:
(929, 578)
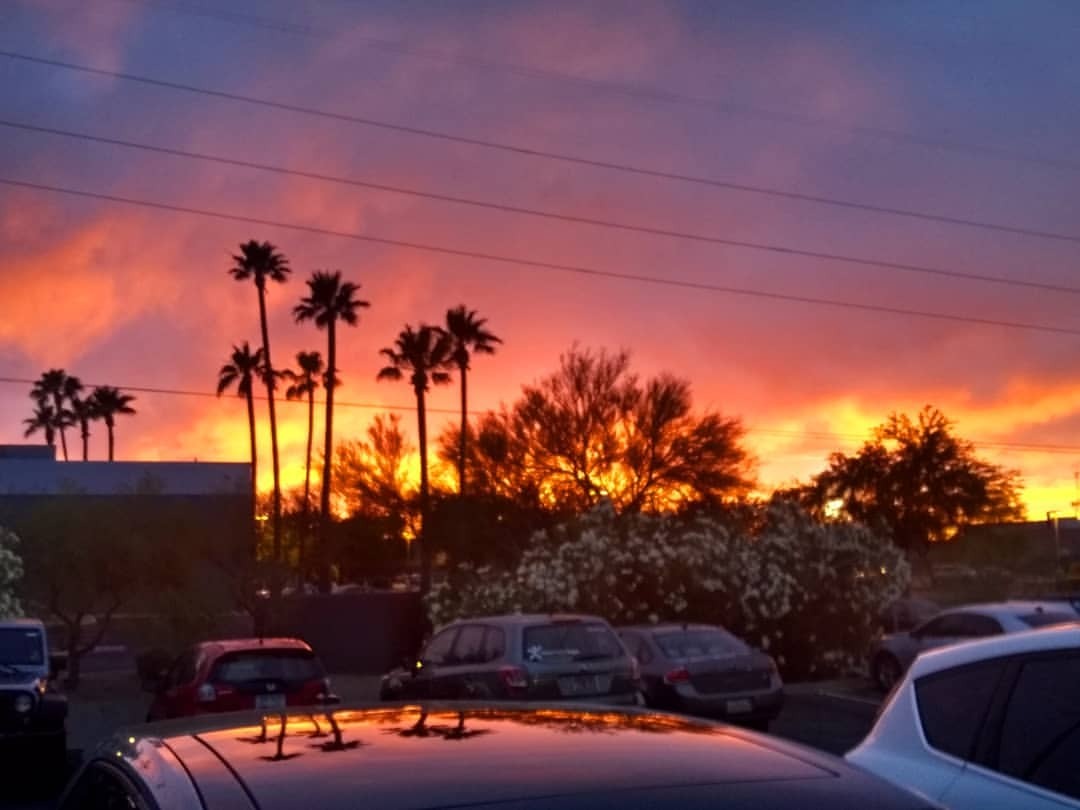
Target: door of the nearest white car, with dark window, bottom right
(1031, 757)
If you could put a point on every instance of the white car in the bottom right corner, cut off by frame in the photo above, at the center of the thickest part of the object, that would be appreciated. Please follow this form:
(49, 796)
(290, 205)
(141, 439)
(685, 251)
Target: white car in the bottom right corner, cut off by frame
(985, 725)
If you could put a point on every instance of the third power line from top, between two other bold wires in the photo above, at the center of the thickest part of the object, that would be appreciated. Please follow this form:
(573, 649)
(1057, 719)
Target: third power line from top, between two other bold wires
(769, 248)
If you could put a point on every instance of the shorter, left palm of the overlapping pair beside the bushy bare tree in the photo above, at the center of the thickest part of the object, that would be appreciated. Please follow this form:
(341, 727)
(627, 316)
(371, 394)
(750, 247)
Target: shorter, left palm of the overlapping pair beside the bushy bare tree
(422, 355)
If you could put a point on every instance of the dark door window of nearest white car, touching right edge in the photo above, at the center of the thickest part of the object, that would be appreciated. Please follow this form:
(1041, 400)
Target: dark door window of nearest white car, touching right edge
(1041, 735)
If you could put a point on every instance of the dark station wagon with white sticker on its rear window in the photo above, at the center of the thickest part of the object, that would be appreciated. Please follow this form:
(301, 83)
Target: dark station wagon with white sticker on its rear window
(538, 657)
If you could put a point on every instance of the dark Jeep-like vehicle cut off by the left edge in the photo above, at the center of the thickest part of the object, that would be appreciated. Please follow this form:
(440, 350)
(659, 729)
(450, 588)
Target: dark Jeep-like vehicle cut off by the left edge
(33, 714)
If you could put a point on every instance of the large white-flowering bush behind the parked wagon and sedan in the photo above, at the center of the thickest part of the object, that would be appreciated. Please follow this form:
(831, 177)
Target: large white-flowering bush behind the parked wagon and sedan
(809, 593)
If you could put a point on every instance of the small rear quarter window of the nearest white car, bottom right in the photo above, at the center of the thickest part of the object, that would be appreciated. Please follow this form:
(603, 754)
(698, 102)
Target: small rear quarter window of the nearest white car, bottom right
(953, 706)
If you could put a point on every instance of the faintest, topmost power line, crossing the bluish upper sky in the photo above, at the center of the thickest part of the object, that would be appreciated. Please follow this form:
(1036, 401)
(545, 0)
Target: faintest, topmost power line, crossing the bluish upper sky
(628, 90)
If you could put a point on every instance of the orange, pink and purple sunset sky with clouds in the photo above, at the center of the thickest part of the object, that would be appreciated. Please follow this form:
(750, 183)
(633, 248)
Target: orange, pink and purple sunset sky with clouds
(963, 111)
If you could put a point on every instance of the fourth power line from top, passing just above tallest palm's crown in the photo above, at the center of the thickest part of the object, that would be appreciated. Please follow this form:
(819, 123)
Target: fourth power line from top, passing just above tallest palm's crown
(579, 269)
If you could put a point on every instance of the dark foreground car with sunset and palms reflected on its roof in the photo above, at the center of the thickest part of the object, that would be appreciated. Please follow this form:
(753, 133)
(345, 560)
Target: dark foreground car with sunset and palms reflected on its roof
(481, 757)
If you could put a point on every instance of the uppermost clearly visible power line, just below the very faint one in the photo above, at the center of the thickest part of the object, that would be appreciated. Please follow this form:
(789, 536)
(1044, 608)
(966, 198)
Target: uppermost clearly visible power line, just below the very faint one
(525, 152)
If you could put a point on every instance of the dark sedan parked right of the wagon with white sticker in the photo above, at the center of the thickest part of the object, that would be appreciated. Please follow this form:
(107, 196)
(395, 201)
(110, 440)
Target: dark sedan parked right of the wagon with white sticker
(704, 670)
